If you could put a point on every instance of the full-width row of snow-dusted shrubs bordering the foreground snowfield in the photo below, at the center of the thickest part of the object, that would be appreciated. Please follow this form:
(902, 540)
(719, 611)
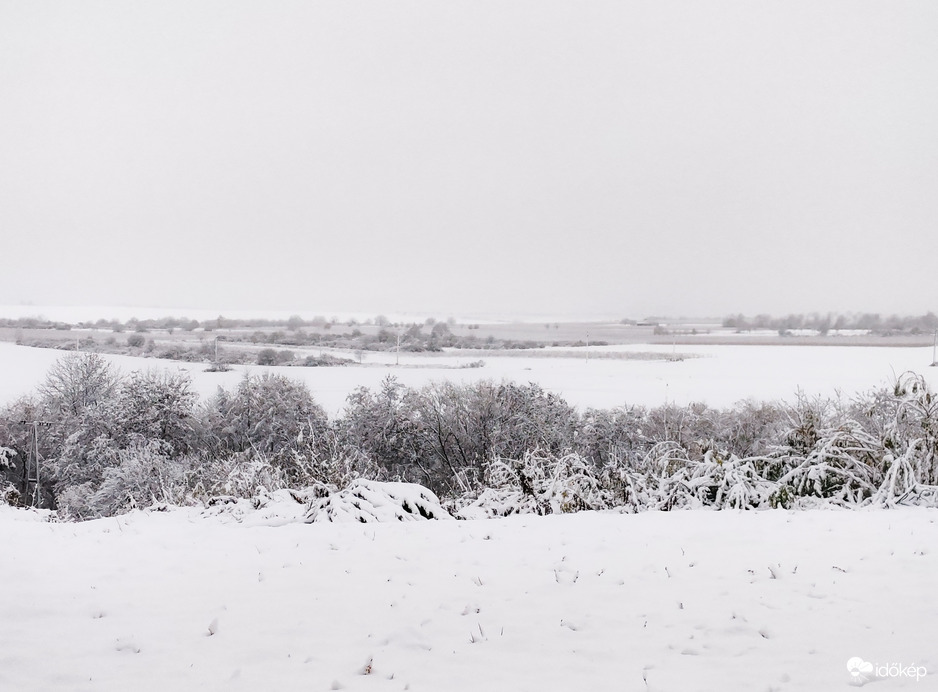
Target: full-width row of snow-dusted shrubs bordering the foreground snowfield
(105, 443)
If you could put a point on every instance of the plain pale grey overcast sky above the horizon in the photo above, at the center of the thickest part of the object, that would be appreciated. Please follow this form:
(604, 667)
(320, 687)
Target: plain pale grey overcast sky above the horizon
(692, 158)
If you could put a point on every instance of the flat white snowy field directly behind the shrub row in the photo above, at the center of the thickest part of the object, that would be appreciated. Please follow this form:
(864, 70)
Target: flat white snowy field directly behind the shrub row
(718, 375)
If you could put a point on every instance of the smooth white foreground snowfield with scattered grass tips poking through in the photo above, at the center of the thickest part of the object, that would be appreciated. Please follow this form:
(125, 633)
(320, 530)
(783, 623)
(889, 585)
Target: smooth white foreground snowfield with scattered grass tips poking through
(688, 600)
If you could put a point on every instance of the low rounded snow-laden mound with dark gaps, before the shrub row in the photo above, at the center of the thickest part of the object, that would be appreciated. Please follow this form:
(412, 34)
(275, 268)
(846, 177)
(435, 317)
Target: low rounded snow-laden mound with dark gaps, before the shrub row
(372, 501)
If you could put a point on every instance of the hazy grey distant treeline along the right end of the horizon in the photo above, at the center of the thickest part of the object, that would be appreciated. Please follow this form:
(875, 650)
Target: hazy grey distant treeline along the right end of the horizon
(873, 322)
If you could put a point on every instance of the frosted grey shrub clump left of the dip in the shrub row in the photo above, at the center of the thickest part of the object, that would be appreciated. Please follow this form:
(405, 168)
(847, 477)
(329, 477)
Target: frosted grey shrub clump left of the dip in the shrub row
(107, 443)
